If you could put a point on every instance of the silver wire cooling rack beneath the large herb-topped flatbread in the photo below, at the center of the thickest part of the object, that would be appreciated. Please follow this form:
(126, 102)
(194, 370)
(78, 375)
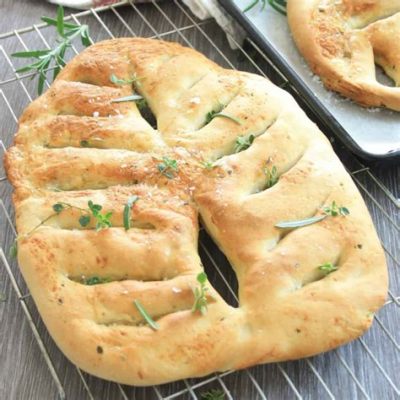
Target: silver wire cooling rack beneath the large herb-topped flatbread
(33, 367)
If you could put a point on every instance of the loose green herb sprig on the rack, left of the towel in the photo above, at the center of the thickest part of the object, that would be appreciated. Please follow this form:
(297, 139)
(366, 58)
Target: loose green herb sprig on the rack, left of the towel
(67, 32)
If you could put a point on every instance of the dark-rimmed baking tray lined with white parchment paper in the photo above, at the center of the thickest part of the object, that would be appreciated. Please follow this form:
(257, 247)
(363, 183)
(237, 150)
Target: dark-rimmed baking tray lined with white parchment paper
(372, 134)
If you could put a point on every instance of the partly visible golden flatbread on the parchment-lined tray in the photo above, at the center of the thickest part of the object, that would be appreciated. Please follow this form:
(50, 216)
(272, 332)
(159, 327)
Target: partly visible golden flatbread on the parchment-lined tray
(343, 40)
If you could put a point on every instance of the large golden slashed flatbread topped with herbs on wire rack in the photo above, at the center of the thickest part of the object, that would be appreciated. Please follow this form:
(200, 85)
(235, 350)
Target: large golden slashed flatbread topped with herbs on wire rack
(302, 291)
